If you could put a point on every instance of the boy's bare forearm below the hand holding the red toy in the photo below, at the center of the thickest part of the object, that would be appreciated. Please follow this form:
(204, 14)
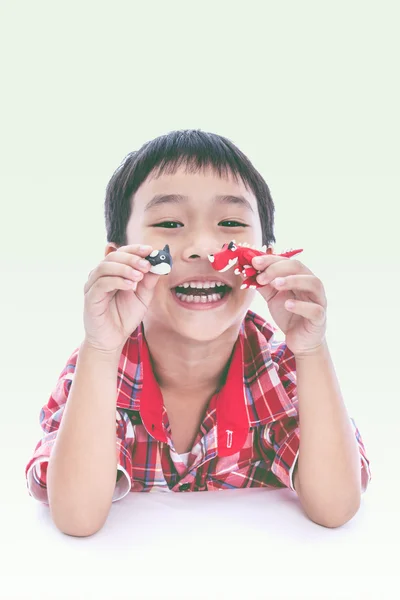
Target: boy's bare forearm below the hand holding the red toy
(328, 478)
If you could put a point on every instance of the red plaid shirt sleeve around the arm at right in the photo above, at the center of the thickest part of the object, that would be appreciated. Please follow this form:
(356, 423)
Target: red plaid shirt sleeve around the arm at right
(281, 439)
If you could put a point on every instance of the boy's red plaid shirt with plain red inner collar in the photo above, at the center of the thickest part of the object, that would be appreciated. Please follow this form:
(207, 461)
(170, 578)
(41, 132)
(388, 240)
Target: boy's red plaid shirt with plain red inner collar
(249, 436)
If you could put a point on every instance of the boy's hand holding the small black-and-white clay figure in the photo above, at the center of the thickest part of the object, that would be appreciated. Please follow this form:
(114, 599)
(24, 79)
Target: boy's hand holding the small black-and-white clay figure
(117, 295)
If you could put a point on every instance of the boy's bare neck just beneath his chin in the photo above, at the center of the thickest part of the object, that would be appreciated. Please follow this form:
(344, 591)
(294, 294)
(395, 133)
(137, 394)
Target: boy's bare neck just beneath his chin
(190, 367)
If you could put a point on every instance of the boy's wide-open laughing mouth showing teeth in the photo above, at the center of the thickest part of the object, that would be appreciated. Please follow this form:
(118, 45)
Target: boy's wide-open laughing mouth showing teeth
(201, 294)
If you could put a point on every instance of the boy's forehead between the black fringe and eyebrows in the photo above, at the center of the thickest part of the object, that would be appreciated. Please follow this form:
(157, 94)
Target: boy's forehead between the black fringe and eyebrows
(203, 185)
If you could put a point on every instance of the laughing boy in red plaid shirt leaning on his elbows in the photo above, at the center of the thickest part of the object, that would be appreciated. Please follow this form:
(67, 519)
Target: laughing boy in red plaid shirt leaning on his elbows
(172, 392)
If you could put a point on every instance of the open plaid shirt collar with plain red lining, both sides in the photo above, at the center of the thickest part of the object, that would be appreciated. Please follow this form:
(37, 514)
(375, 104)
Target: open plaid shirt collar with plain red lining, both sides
(252, 394)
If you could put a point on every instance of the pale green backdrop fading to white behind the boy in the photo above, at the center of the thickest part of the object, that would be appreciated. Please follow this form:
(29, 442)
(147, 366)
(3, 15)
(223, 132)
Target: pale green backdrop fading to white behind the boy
(309, 91)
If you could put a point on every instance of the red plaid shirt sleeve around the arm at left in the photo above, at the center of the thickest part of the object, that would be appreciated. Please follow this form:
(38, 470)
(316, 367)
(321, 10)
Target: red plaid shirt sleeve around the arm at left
(50, 418)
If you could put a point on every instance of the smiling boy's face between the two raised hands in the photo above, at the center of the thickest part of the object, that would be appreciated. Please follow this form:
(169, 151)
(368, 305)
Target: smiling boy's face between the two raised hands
(194, 227)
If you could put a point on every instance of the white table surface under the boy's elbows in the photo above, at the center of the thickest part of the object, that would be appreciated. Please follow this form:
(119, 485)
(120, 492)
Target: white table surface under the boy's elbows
(230, 544)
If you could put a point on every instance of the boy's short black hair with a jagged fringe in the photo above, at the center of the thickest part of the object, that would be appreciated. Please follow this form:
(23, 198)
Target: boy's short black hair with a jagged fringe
(165, 154)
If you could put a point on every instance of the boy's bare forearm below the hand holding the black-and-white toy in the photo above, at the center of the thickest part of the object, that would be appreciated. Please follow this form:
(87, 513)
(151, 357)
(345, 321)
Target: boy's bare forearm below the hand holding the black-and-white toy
(82, 468)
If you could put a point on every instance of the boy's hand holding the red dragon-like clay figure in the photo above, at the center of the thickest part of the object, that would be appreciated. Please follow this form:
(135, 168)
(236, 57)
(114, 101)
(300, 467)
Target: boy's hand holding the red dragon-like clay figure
(304, 325)
